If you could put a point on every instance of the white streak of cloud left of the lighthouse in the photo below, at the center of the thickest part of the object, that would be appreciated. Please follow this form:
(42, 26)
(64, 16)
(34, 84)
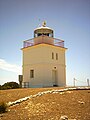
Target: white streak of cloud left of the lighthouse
(10, 67)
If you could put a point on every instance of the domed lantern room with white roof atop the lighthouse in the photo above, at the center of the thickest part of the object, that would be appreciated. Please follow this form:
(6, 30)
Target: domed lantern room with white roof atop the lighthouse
(43, 30)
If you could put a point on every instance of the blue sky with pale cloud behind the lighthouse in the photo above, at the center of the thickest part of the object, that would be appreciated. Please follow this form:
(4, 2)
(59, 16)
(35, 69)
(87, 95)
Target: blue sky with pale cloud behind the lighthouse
(70, 20)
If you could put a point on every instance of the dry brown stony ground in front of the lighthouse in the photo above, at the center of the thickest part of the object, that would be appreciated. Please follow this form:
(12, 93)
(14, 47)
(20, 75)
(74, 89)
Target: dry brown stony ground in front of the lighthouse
(74, 104)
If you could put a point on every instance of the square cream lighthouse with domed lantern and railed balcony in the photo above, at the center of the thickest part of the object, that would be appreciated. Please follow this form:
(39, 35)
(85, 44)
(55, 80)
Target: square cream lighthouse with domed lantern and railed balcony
(43, 59)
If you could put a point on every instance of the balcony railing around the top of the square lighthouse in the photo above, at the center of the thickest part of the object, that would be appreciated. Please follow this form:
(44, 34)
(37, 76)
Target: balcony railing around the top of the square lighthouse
(43, 39)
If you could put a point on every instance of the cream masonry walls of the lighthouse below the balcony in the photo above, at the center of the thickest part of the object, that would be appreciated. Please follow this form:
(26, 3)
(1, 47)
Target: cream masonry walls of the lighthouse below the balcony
(39, 59)
